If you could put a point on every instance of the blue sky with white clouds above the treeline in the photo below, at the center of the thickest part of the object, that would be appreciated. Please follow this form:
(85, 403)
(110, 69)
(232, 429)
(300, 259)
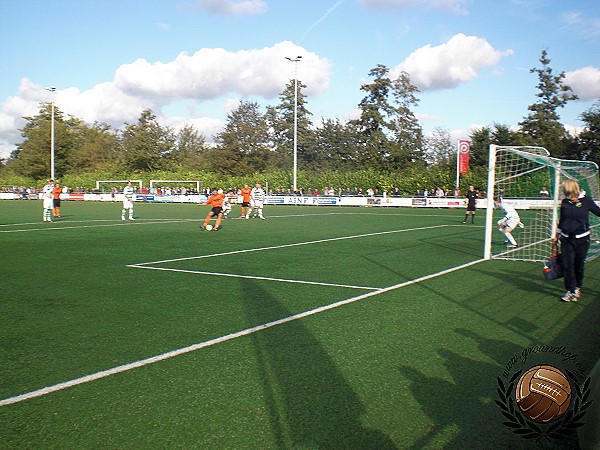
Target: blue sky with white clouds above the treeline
(192, 61)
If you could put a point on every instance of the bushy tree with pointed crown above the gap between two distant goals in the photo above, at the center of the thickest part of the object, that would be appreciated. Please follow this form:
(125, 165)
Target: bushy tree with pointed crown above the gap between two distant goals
(146, 145)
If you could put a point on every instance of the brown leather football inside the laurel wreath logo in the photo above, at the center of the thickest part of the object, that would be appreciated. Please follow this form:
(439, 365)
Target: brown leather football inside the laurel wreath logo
(543, 394)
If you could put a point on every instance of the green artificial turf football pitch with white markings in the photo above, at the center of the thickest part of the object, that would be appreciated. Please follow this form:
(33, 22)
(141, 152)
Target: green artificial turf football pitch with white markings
(320, 328)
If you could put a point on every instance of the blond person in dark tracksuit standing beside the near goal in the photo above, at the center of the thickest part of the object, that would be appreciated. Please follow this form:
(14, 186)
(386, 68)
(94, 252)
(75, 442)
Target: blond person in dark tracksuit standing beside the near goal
(574, 234)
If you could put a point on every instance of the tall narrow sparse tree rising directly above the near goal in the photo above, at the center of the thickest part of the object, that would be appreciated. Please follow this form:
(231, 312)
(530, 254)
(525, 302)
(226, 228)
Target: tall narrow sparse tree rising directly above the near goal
(542, 126)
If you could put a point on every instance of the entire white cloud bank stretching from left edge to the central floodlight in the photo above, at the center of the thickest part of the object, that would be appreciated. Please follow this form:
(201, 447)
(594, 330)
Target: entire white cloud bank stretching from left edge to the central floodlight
(209, 76)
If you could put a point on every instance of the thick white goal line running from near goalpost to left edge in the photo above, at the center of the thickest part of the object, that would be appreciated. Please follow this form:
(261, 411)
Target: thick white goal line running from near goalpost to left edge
(219, 340)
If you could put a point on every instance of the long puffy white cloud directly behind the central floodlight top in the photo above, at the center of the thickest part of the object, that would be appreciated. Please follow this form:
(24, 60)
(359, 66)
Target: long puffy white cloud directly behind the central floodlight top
(213, 72)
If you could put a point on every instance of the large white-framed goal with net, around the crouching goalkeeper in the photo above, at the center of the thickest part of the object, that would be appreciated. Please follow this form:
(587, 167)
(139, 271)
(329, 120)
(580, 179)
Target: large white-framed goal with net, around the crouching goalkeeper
(521, 175)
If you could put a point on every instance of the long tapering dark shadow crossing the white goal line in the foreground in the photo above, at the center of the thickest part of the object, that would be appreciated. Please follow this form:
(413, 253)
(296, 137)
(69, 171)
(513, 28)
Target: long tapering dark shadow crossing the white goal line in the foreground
(309, 402)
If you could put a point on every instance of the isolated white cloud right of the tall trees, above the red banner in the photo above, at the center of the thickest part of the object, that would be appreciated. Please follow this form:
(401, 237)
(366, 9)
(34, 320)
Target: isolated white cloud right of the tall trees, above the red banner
(446, 66)
